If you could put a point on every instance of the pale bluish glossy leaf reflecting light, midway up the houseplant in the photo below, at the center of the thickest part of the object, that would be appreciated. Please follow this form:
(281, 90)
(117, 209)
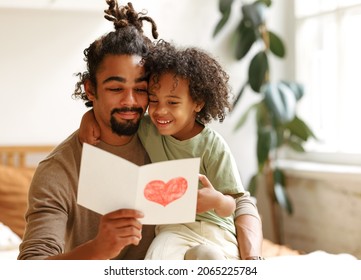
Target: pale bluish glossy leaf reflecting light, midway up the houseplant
(281, 101)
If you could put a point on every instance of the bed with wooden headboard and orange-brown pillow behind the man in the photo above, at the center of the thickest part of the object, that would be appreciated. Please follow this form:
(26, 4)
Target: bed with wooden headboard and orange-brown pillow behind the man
(17, 166)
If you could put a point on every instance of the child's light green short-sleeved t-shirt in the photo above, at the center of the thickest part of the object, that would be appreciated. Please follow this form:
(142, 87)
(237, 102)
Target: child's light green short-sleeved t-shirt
(217, 162)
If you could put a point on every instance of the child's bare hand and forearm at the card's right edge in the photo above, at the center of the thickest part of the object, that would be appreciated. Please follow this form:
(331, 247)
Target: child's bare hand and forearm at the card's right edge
(209, 198)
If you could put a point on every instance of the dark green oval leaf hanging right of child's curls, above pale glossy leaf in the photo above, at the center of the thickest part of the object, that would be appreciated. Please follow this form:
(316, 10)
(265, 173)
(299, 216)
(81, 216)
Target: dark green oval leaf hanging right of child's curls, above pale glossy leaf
(258, 71)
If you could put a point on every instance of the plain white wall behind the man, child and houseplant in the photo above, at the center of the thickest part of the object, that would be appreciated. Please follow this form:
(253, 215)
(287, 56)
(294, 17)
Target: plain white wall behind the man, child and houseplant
(42, 48)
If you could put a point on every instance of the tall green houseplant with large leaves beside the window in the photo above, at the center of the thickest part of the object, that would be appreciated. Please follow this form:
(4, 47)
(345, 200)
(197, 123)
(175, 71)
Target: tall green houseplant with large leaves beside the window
(278, 124)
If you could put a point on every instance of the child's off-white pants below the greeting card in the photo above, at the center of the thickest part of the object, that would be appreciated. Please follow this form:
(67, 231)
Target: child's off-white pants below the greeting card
(198, 240)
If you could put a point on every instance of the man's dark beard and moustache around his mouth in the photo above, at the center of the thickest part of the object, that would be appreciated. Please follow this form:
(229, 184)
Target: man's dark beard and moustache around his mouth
(128, 127)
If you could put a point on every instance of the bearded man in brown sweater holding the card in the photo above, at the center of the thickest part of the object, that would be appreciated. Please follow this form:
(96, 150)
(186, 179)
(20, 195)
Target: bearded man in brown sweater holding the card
(116, 86)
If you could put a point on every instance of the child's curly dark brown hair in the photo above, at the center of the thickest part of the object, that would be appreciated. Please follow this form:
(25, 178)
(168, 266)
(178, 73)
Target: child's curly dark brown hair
(208, 82)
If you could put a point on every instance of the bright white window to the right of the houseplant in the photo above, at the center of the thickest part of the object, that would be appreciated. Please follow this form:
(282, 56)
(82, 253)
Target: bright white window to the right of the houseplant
(328, 64)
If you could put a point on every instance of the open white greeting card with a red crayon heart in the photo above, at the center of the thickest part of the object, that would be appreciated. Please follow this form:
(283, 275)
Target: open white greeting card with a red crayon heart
(166, 192)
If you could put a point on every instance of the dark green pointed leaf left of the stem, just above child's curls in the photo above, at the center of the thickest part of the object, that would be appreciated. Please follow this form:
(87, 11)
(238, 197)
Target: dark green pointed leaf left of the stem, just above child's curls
(246, 36)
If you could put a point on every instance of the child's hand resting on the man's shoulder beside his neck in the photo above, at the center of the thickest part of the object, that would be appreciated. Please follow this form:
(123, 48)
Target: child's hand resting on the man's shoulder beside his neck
(89, 131)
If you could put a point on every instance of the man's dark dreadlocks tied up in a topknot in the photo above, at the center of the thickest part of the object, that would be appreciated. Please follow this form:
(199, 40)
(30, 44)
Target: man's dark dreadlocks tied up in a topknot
(128, 38)
